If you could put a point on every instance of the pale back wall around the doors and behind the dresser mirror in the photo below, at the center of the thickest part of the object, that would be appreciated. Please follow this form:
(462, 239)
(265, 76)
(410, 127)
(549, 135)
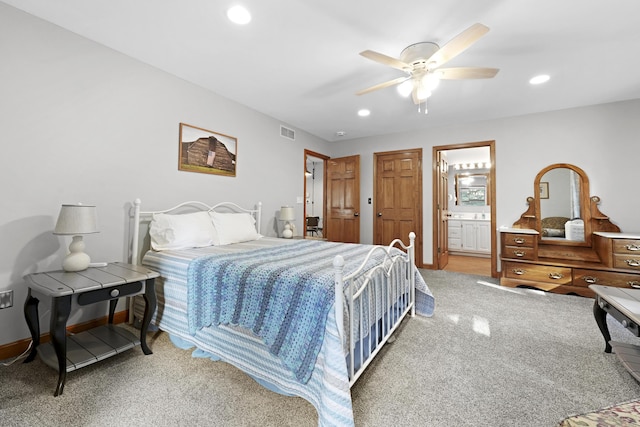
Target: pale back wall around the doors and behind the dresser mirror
(602, 140)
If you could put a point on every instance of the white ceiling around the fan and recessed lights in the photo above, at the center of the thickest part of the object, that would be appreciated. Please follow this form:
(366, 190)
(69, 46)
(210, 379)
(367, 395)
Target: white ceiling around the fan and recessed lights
(298, 61)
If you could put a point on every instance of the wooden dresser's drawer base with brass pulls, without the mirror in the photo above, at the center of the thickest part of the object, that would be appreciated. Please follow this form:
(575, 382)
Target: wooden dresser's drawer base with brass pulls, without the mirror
(616, 263)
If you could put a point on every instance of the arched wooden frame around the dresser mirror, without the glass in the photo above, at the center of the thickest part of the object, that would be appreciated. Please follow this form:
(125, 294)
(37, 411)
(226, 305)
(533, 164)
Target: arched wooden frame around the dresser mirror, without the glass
(585, 211)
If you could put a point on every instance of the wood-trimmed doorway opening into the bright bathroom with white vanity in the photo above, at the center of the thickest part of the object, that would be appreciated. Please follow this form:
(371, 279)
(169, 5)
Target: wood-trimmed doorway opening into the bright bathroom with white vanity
(474, 216)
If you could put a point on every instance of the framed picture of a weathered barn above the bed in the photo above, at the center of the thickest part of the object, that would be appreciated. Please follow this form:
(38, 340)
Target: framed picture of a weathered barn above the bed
(205, 151)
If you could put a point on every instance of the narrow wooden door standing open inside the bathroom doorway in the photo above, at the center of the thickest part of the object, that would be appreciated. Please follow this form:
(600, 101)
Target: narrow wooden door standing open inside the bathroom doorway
(442, 209)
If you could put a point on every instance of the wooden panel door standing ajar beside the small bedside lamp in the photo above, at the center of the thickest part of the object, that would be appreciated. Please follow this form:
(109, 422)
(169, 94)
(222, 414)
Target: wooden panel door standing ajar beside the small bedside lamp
(343, 200)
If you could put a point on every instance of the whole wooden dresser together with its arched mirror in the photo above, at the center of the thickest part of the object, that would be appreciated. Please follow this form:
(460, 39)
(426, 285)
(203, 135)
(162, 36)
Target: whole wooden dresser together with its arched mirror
(563, 242)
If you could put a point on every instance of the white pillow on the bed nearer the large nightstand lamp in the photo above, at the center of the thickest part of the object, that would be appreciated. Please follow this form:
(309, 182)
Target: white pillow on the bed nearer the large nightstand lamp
(193, 230)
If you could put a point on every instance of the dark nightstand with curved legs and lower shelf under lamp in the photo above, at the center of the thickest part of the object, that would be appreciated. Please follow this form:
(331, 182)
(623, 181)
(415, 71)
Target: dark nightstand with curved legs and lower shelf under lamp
(95, 284)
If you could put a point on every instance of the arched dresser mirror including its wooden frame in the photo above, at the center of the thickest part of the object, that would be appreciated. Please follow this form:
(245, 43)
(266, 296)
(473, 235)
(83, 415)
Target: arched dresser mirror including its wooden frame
(562, 201)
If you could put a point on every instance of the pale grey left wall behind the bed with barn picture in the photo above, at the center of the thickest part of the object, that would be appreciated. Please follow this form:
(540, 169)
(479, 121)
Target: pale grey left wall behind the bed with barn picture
(83, 123)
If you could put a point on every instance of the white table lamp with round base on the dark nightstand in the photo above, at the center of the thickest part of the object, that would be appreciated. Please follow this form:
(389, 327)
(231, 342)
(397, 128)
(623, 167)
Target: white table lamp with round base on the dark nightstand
(76, 220)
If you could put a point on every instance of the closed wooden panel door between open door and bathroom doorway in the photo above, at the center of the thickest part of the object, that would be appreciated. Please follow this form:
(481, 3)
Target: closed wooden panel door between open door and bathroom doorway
(398, 197)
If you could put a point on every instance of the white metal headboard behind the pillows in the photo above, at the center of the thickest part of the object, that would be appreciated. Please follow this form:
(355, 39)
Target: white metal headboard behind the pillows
(140, 241)
